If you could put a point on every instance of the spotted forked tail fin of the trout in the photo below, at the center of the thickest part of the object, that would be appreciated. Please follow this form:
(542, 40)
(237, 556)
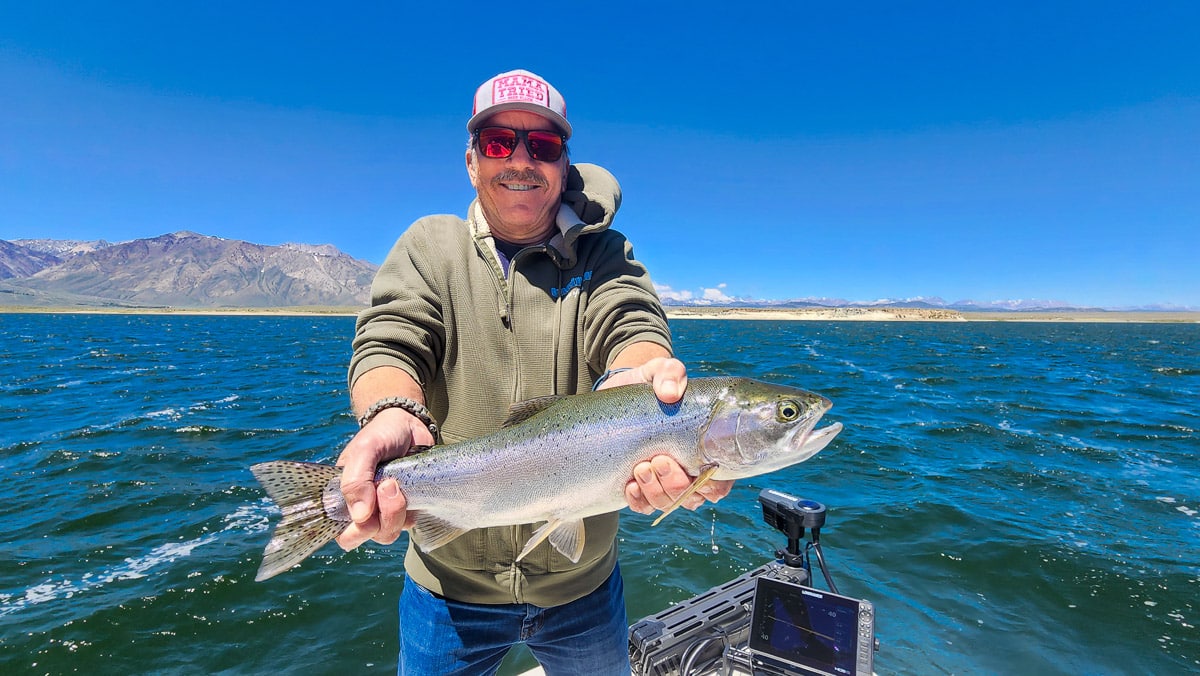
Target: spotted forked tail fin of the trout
(299, 489)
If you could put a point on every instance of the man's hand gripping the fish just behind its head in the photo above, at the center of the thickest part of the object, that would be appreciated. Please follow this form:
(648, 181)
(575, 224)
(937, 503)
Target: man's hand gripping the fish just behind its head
(659, 482)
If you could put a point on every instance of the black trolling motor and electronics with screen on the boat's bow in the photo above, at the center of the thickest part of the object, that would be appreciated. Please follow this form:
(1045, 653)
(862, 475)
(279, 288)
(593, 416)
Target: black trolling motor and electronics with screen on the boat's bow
(770, 621)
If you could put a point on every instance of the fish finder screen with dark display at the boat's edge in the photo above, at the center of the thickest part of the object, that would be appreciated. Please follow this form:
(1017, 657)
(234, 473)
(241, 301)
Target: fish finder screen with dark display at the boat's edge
(805, 627)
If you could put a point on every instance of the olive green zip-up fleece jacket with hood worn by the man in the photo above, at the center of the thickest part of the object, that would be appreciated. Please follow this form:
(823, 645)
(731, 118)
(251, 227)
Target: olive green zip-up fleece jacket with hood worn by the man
(478, 343)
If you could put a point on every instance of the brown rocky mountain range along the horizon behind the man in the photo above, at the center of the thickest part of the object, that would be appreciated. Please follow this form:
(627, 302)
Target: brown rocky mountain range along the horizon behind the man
(190, 271)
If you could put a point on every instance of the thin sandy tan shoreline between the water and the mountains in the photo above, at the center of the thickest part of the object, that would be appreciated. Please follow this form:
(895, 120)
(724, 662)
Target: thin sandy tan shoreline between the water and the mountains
(680, 313)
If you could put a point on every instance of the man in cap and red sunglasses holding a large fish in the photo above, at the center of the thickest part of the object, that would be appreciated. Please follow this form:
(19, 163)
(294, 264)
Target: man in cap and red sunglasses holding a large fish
(532, 295)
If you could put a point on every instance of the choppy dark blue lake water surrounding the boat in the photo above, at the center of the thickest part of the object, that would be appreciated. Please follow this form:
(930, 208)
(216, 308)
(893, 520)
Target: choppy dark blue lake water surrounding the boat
(1015, 499)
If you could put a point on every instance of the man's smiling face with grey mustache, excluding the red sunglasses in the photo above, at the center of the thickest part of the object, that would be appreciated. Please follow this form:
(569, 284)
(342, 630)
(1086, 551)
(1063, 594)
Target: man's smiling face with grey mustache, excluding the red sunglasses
(520, 195)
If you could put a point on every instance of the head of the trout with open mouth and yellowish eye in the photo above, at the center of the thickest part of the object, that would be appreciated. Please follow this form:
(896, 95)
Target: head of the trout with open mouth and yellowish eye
(758, 428)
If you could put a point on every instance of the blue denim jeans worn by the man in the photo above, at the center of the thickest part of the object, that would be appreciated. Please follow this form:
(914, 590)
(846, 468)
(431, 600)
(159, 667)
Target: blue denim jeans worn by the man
(439, 636)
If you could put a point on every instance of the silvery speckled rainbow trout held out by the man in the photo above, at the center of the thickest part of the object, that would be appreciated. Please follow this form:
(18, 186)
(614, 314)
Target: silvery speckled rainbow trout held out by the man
(557, 460)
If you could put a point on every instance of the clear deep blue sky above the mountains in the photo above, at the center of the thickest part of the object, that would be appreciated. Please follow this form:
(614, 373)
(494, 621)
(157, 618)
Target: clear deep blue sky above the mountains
(775, 151)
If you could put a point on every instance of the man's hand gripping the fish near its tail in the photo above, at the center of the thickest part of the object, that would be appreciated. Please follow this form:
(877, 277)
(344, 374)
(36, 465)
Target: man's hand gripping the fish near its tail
(379, 513)
